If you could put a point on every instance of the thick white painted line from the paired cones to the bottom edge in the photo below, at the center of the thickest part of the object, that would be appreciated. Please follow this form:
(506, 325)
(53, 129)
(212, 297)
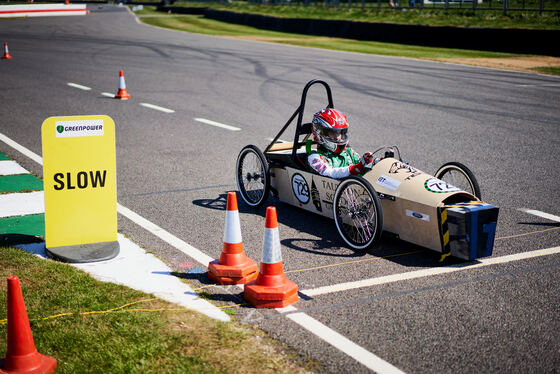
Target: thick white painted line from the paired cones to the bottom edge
(340, 342)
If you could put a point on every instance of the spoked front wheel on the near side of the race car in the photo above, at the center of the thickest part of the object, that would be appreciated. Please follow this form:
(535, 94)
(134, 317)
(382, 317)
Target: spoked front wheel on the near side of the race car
(357, 213)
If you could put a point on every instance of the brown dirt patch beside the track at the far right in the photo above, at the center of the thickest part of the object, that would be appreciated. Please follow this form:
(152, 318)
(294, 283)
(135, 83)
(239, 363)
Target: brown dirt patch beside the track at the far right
(510, 63)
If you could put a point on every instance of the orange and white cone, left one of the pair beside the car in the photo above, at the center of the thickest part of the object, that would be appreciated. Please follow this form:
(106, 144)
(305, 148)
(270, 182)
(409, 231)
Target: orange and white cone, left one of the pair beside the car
(233, 267)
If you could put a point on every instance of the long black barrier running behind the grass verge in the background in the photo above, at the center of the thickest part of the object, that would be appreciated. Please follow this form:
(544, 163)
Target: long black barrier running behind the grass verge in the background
(477, 38)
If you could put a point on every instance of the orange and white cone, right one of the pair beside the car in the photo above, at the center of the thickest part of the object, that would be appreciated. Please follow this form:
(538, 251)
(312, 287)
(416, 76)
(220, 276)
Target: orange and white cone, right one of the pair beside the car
(271, 289)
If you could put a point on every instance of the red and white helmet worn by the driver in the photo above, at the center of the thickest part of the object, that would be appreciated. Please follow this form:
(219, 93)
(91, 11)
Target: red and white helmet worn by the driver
(330, 129)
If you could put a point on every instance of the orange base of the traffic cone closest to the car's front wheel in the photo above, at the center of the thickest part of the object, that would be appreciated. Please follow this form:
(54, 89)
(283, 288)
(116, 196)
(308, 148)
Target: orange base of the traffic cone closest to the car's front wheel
(271, 297)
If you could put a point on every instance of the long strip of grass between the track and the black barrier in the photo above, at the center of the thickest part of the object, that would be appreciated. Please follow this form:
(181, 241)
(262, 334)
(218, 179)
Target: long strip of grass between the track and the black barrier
(199, 24)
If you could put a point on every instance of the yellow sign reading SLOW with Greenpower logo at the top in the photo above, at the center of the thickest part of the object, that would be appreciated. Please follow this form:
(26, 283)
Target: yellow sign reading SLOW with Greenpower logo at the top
(80, 181)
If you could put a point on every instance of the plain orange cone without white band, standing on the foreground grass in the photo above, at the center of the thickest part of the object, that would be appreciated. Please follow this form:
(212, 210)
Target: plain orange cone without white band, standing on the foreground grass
(22, 356)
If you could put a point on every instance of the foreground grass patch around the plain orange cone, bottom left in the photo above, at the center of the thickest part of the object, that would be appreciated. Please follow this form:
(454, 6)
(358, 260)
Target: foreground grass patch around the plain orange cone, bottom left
(126, 341)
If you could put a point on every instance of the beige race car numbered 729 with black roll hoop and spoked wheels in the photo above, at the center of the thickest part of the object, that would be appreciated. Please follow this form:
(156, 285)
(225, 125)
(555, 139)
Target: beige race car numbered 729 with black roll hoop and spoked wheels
(441, 212)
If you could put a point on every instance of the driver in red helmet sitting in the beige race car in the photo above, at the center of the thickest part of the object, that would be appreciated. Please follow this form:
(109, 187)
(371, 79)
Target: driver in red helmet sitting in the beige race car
(334, 158)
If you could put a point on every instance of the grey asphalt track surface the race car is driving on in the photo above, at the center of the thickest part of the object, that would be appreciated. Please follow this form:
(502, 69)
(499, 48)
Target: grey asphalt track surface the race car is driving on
(174, 171)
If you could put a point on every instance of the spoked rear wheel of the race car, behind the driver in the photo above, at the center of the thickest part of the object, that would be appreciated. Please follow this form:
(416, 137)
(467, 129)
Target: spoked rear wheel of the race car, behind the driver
(252, 175)
